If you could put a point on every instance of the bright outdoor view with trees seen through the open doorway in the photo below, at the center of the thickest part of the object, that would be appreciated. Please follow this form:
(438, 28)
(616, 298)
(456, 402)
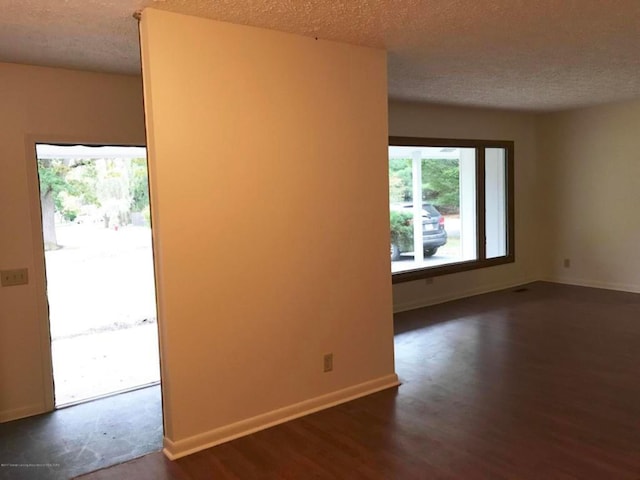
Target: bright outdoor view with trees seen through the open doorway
(99, 270)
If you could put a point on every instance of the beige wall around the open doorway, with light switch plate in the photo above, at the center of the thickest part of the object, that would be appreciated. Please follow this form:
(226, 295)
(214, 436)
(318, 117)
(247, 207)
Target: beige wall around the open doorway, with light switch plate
(48, 105)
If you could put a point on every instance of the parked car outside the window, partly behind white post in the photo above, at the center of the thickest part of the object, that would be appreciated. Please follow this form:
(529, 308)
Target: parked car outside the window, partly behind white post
(401, 219)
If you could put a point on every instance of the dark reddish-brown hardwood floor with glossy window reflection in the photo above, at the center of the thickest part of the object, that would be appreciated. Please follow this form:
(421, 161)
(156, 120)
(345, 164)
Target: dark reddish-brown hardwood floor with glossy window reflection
(538, 384)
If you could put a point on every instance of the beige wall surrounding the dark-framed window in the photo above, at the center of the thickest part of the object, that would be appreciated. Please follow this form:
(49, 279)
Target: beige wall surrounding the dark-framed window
(414, 120)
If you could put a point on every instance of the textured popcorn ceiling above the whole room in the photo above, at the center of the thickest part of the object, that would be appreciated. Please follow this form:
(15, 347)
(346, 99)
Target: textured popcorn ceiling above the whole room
(517, 54)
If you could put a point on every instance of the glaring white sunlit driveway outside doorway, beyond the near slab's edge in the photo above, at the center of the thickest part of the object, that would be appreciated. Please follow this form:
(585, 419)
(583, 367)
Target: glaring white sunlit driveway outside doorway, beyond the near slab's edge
(100, 279)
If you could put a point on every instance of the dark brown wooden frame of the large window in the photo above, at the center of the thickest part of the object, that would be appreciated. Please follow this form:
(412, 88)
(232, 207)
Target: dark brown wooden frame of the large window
(481, 261)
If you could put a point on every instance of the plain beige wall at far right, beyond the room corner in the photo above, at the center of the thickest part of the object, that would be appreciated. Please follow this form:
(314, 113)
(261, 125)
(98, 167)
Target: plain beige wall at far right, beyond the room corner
(591, 163)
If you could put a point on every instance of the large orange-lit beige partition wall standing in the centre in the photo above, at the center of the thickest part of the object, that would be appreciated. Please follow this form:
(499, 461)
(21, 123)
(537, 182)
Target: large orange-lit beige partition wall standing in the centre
(269, 196)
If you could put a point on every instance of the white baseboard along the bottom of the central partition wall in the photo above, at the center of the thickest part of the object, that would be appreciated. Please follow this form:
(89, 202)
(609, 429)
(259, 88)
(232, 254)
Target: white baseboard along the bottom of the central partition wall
(180, 448)
